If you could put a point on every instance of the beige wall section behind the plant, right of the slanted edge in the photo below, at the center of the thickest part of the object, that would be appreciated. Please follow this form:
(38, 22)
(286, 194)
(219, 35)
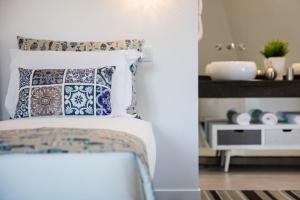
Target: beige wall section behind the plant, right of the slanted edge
(256, 22)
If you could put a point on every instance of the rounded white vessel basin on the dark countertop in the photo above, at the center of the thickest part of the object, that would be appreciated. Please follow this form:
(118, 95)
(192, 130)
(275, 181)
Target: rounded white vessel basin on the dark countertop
(231, 70)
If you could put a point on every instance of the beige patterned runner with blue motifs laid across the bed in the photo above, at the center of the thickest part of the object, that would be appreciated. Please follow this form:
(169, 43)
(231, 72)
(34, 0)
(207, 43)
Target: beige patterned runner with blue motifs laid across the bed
(62, 140)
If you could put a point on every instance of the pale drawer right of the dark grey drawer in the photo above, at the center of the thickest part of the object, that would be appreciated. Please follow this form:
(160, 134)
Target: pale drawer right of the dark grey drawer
(282, 137)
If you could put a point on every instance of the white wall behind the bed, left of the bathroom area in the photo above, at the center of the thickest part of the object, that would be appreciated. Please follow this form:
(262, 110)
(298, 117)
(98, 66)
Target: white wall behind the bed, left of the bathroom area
(167, 87)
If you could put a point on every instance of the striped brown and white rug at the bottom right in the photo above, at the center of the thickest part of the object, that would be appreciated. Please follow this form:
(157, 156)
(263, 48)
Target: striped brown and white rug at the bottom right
(250, 195)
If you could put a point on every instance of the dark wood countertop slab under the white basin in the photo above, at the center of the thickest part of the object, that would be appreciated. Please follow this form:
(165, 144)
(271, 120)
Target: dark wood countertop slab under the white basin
(247, 89)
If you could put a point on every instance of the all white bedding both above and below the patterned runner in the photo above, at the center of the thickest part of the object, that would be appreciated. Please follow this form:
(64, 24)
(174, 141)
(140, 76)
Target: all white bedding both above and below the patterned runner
(117, 179)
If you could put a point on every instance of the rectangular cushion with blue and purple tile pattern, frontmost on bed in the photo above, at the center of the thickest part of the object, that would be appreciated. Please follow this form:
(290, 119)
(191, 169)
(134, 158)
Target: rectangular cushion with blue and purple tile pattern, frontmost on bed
(69, 92)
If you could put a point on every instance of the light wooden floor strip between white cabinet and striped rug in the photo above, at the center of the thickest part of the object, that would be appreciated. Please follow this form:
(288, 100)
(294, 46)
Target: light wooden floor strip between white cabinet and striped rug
(250, 178)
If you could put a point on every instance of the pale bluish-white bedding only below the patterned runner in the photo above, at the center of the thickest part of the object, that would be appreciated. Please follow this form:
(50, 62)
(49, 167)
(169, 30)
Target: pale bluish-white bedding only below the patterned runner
(70, 176)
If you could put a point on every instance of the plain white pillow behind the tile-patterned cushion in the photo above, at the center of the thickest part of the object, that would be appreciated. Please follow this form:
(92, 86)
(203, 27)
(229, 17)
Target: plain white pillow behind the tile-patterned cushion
(121, 82)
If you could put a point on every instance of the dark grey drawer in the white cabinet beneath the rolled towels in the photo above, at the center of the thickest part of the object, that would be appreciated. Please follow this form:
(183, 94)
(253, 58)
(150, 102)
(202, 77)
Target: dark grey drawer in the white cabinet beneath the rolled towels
(239, 137)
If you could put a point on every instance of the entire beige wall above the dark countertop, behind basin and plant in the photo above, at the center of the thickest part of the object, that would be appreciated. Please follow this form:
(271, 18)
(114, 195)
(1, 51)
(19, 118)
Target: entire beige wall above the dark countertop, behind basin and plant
(253, 23)
